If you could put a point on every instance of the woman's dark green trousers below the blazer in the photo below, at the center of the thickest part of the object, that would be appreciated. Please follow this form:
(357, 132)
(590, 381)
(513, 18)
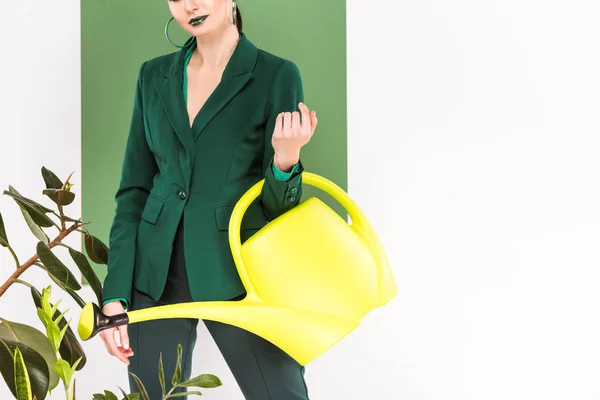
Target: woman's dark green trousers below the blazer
(262, 370)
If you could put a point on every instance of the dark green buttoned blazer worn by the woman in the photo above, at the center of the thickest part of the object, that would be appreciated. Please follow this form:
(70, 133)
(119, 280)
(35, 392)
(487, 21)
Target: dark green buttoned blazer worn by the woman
(172, 171)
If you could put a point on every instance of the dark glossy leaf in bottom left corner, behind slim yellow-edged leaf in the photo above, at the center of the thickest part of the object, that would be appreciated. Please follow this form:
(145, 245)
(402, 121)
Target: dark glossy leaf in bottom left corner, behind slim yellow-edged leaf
(37, 369)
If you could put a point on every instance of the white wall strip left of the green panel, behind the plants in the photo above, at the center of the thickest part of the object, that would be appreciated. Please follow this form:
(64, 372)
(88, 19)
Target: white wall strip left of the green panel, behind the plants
(39, 125)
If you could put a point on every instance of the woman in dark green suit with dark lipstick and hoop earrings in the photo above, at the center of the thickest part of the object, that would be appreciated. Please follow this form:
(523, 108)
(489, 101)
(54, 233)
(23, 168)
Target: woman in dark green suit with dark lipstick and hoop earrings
(209, 121)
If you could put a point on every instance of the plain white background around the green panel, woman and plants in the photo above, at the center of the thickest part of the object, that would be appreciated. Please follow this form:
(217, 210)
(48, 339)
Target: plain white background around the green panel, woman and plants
(473, 141)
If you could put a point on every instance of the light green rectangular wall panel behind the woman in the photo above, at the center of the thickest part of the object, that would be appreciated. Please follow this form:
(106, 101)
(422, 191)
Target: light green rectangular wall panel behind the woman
(118, 36)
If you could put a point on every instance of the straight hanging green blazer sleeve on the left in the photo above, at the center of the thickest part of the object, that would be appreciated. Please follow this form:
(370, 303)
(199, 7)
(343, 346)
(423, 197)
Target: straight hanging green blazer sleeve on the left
(137, 175)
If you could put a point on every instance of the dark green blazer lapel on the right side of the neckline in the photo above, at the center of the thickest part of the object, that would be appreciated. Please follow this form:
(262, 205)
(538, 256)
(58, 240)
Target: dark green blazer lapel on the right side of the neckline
(237, 73)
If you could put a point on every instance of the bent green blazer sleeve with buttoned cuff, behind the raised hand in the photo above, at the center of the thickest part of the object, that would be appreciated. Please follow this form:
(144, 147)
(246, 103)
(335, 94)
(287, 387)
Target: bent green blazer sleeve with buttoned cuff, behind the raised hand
(280, 195)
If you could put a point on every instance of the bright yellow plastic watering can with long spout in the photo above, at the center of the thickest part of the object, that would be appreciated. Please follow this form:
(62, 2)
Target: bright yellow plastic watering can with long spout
(303, 295)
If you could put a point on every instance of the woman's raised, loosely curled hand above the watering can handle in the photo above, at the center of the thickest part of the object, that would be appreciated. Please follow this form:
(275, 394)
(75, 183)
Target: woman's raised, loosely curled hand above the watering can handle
(290, 134)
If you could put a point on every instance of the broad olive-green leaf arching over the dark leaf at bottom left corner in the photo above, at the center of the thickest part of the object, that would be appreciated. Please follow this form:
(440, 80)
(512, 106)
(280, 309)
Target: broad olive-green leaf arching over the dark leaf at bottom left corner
(34, 339)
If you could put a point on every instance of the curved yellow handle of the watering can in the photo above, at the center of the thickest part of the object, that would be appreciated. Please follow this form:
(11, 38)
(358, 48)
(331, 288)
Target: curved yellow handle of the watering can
(359, 223)
